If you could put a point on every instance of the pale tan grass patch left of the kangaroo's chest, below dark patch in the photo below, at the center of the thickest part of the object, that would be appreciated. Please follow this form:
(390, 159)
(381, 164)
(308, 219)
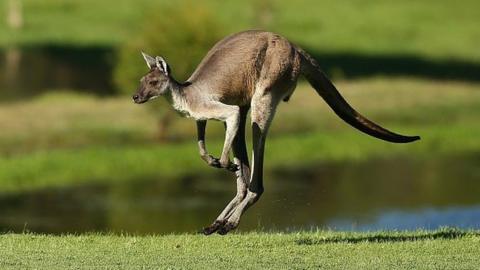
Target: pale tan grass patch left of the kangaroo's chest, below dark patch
(68, 119)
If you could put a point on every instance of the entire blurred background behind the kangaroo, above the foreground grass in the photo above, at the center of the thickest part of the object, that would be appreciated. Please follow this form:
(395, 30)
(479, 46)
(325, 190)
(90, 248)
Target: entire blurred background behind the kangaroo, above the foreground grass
(76, 155)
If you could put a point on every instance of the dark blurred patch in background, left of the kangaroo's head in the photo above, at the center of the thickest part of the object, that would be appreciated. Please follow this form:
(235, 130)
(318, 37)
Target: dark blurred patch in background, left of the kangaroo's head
(27, 72)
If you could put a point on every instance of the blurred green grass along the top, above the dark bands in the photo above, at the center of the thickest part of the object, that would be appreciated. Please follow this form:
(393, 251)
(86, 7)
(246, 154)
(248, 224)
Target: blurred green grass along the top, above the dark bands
(432, 29)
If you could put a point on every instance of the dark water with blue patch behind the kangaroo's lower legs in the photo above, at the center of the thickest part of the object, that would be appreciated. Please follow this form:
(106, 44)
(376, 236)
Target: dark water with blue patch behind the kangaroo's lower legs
(381, 194)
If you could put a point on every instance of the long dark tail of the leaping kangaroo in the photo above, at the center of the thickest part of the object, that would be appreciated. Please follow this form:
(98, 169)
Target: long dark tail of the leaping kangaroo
(324, 87)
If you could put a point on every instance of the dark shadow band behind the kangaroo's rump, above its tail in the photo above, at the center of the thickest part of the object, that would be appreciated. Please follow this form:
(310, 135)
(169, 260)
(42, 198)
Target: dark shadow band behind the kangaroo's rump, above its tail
(354, 65)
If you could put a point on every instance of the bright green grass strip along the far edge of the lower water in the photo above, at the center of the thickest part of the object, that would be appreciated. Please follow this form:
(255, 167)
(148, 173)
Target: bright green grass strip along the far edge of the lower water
(112, 164)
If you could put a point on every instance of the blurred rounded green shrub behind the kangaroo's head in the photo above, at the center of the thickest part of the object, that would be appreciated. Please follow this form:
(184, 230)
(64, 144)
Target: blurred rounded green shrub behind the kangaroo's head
(182, 35)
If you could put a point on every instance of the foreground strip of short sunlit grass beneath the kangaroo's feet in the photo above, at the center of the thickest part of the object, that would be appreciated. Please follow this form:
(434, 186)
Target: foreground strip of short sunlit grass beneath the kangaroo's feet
(442, 249)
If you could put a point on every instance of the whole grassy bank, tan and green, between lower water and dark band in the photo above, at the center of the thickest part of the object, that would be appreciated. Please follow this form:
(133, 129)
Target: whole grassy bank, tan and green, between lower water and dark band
(87, 139)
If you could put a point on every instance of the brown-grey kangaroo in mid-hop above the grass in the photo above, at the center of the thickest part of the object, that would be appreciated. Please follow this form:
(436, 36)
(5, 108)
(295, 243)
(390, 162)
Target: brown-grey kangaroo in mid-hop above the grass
(251, 70)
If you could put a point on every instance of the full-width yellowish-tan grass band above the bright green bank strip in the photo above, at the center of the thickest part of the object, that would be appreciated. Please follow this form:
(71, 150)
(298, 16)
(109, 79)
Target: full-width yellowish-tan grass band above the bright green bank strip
(73, 120)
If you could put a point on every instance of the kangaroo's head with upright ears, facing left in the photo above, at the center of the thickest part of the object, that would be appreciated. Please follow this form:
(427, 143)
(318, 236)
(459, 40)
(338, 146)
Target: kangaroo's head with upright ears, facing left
(156, 82)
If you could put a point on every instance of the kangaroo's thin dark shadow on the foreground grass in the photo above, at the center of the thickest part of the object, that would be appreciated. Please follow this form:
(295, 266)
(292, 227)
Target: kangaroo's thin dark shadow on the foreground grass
(353, 238)
